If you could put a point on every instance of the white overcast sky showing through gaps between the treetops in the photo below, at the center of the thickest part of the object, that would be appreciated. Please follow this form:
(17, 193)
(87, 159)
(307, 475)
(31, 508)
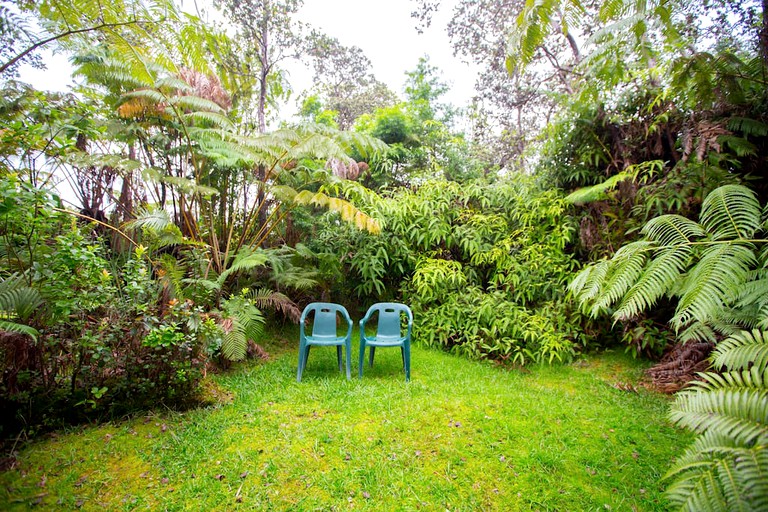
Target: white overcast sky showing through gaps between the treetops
(384, 30)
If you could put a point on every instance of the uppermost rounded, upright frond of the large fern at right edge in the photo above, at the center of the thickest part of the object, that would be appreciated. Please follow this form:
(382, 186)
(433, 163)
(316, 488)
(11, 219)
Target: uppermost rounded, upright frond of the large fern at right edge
(731, 212)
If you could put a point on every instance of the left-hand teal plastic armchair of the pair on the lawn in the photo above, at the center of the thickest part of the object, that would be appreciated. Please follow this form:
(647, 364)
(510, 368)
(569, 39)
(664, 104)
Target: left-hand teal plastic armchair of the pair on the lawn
(324, 333)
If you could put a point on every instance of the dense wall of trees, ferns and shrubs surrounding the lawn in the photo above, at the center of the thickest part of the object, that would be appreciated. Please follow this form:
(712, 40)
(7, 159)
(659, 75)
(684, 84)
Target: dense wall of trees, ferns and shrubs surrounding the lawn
(152, 221)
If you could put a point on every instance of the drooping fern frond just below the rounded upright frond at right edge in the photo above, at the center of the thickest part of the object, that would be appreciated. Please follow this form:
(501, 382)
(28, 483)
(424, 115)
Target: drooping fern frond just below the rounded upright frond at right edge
(712, 283)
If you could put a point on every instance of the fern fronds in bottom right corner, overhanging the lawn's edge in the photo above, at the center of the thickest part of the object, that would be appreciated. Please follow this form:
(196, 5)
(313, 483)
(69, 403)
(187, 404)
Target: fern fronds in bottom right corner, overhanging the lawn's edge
(726, 468)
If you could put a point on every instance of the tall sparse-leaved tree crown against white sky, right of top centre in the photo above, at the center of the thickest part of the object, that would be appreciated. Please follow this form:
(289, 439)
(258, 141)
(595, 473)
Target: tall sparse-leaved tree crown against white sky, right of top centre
(508, 110)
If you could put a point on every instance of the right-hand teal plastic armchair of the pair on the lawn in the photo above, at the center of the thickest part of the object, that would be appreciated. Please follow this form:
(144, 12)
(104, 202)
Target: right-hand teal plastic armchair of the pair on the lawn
(388, 333)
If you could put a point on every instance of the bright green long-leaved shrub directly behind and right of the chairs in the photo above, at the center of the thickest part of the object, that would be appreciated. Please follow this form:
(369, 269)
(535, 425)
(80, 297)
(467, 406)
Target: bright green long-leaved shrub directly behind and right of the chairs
(483, 266)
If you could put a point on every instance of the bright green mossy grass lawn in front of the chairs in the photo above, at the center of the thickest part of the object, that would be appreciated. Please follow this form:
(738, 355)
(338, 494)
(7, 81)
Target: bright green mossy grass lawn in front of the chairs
(460, 436)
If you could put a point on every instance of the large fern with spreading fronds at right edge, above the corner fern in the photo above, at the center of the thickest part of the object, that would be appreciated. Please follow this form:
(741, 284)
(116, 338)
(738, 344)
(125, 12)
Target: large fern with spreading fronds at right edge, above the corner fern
(716, 268)
